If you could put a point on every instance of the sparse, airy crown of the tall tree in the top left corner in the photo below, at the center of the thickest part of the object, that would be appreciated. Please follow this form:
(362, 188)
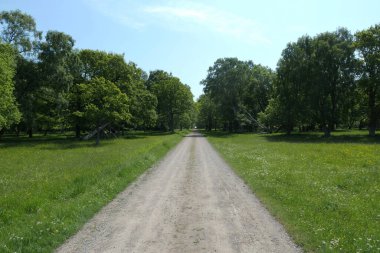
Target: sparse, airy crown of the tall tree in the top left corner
(19, 29)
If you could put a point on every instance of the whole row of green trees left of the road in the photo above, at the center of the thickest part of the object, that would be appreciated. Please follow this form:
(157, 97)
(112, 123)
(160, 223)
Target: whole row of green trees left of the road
(47, 84)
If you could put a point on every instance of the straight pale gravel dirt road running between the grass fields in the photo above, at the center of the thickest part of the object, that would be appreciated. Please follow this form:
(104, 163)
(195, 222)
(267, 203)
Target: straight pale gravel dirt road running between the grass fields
(190, 202)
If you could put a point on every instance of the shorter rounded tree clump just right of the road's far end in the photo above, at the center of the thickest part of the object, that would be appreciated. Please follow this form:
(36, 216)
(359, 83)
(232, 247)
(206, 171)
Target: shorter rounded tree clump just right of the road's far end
(239, 90)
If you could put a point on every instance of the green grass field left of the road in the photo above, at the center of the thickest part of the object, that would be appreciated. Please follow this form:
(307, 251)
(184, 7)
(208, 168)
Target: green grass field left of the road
(49, 187)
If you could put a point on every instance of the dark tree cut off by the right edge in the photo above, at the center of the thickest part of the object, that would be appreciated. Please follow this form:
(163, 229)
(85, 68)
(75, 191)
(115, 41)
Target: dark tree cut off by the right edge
(368, 46)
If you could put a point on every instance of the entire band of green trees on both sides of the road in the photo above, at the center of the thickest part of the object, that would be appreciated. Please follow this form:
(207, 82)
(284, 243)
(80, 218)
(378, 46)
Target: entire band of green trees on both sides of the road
(321, 82)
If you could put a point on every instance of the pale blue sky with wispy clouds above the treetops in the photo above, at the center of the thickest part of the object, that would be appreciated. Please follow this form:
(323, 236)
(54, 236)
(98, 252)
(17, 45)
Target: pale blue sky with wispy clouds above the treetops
(185, 37)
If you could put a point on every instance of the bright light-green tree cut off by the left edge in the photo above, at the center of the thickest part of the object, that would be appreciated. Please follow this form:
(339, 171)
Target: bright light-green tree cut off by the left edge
(9, 113)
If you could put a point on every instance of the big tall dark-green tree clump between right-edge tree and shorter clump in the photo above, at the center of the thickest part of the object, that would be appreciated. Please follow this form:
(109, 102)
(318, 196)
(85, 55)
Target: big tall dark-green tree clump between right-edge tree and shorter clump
(315, 83)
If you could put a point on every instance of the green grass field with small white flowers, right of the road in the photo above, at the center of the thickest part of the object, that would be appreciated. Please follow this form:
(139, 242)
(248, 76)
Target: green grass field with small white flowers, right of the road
(326, 192)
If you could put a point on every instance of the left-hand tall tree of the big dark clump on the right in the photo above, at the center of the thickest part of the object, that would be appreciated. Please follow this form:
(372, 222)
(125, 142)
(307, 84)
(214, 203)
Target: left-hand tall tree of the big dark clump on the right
(289, 105)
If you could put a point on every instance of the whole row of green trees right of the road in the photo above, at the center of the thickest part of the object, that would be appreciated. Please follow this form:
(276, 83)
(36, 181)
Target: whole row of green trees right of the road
(325, 82)
